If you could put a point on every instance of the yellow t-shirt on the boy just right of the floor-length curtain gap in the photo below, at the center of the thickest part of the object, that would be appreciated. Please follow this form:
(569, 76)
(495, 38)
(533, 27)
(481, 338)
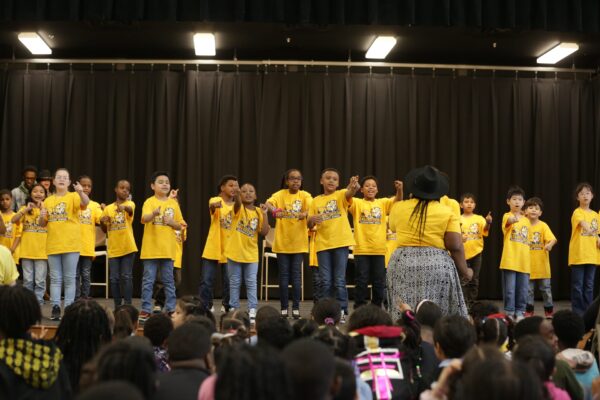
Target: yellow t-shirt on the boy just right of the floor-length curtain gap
(219, 231)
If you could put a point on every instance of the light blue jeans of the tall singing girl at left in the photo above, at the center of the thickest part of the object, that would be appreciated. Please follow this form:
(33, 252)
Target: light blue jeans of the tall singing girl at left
(63, 267)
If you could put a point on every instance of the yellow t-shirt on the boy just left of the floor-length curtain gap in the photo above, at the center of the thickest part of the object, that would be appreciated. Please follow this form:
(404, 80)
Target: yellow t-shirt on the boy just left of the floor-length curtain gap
(159, 240)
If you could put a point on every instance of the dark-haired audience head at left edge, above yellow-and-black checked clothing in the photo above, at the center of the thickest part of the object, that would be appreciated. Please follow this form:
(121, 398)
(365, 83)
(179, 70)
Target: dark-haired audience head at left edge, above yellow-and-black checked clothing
(20, 310)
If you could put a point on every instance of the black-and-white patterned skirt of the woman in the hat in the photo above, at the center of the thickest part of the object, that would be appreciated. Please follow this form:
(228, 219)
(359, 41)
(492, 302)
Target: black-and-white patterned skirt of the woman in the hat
(419, 273)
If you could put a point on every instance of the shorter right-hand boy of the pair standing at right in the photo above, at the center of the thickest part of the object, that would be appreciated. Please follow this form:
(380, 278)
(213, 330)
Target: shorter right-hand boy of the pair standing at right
(541, 241)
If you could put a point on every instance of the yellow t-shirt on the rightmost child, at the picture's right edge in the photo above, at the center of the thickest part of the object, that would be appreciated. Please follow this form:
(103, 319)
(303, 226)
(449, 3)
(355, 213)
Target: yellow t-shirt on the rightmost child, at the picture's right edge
(582, 246)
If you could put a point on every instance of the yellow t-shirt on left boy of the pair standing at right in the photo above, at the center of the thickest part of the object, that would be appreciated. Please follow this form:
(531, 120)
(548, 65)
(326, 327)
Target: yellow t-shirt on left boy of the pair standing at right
(515, 252)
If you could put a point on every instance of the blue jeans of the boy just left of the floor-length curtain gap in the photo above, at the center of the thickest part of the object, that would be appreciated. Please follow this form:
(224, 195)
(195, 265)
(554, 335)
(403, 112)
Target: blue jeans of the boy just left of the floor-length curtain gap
(151, 266)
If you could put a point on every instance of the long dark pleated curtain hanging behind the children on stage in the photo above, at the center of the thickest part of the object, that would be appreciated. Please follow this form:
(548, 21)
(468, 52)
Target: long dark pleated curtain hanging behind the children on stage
(486, 133)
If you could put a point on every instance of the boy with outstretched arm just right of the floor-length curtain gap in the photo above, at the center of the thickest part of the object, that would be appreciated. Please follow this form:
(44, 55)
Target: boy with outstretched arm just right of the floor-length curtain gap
(220, 208)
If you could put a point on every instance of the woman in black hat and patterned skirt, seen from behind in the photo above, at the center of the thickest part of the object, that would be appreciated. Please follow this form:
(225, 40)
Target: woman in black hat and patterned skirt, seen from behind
(430, 249)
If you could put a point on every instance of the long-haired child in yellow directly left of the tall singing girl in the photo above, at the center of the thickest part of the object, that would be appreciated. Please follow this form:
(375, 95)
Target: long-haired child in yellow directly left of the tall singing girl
(32, 250)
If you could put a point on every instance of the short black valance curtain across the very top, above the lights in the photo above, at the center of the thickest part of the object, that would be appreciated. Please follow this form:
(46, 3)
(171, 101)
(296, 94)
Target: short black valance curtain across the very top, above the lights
(556, 15)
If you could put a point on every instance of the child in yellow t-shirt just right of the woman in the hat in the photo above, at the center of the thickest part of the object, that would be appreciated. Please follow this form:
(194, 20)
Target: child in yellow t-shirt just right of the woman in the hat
(474, 228)
